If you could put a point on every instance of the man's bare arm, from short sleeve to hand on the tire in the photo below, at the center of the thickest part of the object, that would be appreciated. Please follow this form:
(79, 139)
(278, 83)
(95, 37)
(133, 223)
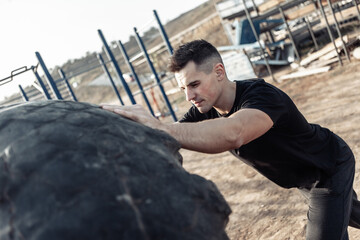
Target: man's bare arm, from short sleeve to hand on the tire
(210, 136)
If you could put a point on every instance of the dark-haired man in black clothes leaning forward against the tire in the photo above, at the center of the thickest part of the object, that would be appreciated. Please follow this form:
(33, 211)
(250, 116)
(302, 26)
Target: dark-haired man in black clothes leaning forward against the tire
(261, 125)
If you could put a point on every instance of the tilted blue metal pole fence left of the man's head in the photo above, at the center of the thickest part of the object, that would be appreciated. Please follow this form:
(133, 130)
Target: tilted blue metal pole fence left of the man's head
(48, 88)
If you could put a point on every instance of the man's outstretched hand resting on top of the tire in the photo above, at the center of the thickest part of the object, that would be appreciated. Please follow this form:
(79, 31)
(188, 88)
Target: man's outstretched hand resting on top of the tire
(134, 112)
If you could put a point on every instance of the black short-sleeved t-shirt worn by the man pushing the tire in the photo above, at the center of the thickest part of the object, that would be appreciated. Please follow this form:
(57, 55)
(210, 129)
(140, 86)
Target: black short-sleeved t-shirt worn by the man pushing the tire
(293, 153)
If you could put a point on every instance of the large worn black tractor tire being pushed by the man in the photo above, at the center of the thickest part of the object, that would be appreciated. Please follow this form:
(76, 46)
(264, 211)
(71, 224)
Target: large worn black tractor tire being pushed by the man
(72, 171)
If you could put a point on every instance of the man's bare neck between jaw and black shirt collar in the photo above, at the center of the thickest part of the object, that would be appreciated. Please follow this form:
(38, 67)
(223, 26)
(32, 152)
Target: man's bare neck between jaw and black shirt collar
(227, 98)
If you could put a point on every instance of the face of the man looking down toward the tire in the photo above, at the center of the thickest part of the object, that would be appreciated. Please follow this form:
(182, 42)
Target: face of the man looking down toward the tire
(200, 88)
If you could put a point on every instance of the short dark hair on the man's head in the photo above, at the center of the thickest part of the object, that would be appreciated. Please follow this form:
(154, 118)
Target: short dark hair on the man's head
(198, 51)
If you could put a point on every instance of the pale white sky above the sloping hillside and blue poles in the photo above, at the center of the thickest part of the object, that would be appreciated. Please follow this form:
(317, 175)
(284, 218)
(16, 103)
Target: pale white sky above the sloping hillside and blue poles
(66, 29)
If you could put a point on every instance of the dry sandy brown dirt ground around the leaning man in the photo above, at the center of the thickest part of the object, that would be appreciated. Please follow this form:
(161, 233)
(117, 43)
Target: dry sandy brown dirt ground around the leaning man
(261, 209)
